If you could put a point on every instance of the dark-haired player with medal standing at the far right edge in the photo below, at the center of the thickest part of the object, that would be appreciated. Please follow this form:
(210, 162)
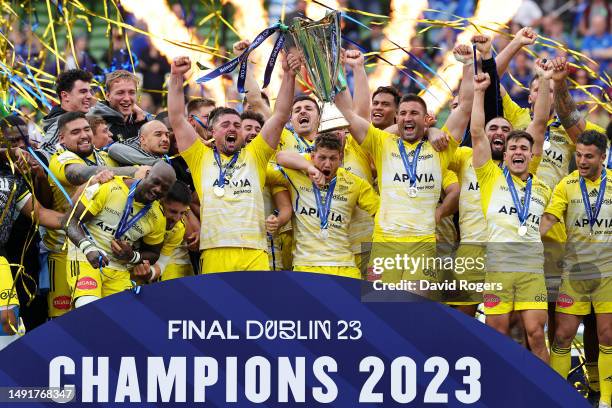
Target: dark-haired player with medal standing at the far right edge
(584, 200)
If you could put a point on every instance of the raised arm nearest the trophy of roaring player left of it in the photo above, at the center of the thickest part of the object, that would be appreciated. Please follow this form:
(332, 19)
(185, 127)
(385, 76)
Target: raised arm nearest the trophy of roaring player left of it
(273, 127)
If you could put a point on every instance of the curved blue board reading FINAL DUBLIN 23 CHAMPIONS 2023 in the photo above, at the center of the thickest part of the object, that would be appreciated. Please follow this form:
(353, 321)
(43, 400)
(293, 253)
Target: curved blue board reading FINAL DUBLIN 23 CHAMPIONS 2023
(278, 339)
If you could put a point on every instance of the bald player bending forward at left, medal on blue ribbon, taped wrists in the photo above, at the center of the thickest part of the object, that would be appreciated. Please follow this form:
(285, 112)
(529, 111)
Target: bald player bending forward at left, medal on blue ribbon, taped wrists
(117, 214)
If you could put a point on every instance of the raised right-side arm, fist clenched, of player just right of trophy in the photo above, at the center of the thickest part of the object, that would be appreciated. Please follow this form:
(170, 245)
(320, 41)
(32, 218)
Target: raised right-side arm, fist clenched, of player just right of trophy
(459, 118)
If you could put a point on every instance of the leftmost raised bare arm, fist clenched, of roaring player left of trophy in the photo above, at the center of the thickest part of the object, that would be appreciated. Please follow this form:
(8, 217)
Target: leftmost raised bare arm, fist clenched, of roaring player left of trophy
(184, 133)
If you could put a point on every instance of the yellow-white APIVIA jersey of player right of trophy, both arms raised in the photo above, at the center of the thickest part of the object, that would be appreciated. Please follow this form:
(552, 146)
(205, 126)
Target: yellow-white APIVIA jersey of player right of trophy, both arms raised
(402, 218)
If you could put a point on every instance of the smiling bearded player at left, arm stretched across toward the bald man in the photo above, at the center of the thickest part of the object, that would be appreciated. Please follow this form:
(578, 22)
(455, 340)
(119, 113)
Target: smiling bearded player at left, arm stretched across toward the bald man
(73, 165)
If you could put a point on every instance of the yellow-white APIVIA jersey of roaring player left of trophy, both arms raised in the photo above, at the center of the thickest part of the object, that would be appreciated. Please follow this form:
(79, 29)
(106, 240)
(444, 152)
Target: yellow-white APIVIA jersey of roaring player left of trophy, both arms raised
(237, 219)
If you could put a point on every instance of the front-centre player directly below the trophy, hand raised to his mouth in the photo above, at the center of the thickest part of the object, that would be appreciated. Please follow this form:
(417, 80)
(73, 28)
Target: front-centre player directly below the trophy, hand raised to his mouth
(325, 197)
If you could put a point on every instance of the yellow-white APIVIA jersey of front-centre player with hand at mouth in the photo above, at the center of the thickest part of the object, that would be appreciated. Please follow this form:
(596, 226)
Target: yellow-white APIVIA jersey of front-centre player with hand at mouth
(312, 250)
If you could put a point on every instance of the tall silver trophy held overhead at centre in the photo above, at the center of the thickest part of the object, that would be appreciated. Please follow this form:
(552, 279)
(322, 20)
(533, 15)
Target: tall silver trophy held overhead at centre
(320, 43)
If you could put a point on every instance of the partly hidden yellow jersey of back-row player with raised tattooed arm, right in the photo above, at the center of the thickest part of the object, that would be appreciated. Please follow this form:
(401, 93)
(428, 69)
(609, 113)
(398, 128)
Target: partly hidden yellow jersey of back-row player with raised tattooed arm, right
(556, 160)
